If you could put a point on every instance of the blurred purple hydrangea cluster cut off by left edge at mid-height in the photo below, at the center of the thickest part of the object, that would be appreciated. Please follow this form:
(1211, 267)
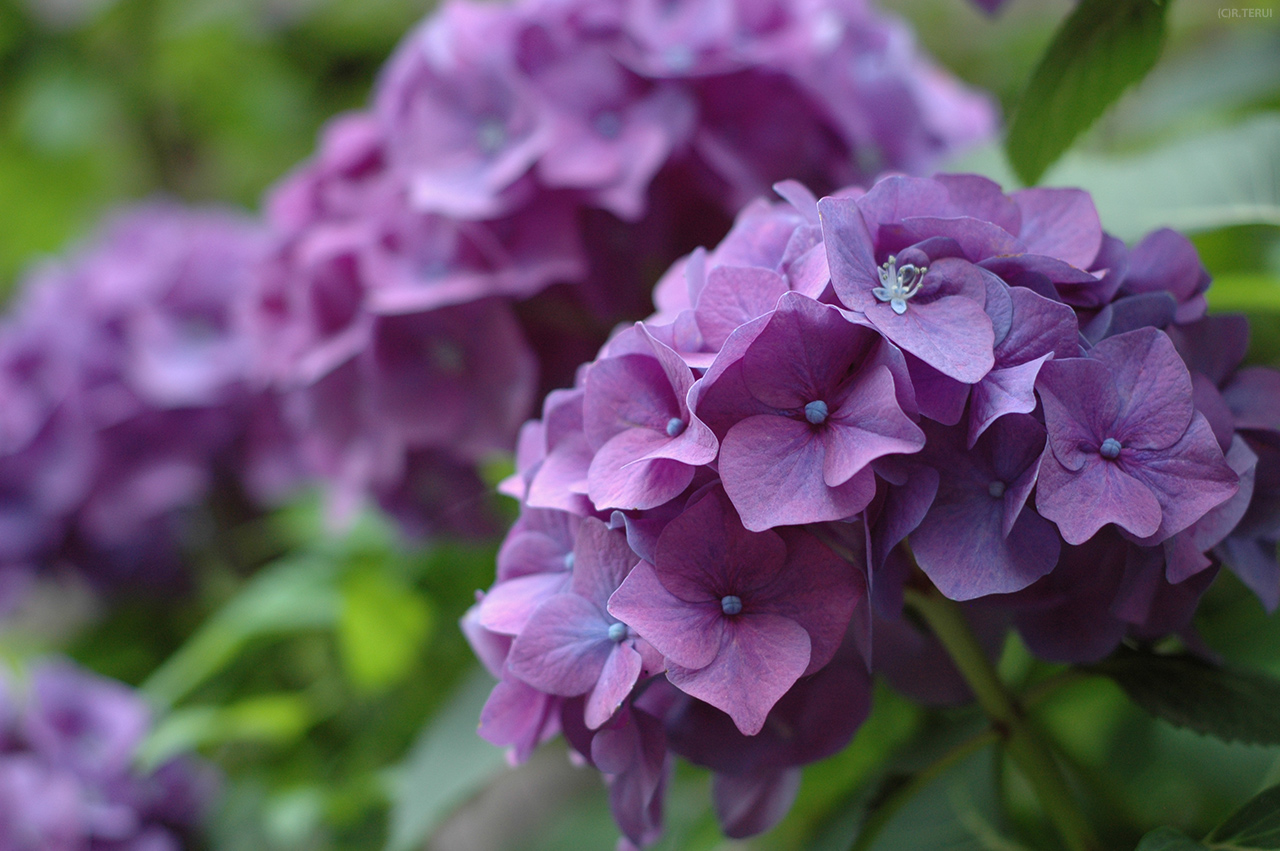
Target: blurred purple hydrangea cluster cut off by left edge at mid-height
(125, 372)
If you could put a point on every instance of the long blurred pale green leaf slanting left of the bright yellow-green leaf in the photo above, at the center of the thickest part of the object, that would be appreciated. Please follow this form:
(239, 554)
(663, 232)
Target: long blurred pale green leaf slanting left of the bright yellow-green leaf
(292, 596)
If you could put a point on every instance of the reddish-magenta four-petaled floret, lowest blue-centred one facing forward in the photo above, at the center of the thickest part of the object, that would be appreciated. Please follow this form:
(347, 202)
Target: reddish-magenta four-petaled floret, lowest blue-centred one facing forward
(740, 616)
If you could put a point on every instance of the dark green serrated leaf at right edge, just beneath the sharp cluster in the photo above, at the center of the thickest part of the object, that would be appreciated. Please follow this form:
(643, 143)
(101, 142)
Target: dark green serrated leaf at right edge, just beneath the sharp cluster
(1187, 692)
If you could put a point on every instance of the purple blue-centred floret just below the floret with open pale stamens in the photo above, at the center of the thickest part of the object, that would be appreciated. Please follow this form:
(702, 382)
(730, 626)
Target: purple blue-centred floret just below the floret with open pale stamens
(824, 410)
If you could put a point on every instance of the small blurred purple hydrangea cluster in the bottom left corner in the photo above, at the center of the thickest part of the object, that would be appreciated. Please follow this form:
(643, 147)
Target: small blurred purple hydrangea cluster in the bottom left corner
(68, 744)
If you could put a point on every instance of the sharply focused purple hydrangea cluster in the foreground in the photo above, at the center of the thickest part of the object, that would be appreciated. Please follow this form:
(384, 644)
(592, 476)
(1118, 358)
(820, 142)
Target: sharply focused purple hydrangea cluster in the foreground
(924, 383)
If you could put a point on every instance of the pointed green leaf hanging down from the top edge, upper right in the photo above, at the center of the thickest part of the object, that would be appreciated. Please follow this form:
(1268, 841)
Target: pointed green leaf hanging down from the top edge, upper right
(1103, 48)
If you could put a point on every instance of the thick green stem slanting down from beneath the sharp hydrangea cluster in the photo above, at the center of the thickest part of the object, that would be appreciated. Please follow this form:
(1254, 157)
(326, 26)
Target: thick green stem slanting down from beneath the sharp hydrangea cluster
(1026, 747)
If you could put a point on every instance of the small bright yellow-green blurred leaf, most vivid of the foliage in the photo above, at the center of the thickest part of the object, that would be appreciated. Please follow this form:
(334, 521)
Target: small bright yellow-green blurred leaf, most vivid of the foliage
(382, 628)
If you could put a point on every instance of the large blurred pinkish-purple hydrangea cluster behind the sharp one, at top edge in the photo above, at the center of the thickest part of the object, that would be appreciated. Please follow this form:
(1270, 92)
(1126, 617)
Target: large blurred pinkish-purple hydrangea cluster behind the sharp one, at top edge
(564, 149)
